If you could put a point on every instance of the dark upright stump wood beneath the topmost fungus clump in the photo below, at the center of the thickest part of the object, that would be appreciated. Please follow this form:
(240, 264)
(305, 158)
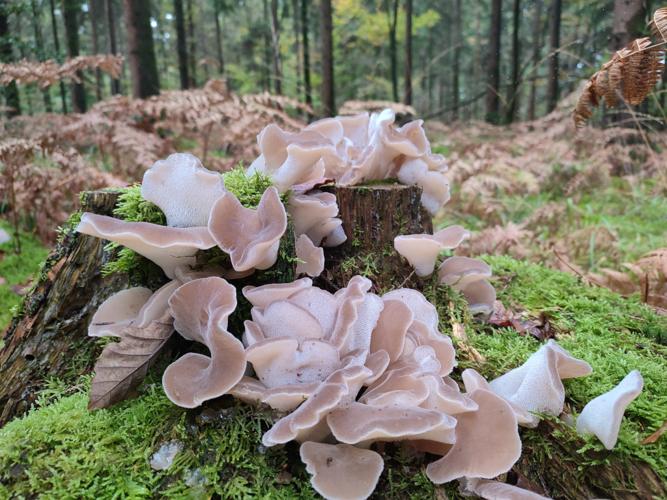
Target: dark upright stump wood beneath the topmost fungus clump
(369, 249)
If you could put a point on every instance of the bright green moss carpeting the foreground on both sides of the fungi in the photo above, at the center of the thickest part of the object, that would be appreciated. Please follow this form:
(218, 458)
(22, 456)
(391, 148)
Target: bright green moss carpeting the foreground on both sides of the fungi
(62, 450)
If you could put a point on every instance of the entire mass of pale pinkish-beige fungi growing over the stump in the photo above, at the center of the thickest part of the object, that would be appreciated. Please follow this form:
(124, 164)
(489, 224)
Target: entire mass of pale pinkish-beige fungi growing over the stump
(347, 369)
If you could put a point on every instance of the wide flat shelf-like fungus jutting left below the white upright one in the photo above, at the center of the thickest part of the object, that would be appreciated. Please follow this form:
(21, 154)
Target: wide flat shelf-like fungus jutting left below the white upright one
(168, 247)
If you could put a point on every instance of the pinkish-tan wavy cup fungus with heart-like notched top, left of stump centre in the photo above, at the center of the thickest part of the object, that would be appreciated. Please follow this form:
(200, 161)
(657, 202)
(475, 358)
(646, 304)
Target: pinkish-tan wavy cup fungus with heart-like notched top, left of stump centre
(250, 237)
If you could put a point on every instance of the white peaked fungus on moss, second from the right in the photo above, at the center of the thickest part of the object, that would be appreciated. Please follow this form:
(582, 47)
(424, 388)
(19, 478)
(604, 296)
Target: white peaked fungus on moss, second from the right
(536, 385)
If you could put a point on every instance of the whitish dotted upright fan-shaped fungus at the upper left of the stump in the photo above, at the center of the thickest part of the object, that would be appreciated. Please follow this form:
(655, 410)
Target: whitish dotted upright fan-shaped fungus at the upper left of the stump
(183, 189)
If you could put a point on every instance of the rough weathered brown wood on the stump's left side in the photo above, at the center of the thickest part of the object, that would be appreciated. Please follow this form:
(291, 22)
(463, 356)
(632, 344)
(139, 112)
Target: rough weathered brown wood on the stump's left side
(49, 338)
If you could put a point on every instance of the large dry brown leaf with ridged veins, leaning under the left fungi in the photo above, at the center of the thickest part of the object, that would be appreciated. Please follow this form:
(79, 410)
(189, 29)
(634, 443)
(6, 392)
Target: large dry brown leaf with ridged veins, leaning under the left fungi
(123, 365)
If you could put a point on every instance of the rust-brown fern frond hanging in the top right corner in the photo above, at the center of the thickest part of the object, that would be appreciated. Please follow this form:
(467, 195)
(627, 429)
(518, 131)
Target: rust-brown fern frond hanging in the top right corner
(630, 75)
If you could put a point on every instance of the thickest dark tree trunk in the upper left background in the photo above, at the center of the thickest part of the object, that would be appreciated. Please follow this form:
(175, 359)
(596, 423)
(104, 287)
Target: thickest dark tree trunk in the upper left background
(141, 52)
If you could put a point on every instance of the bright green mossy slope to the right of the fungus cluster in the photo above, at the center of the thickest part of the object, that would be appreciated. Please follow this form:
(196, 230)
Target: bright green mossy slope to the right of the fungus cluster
(615, 335)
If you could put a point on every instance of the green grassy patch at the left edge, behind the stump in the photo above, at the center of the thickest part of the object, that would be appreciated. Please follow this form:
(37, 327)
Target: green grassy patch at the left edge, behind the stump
(17, 270)
